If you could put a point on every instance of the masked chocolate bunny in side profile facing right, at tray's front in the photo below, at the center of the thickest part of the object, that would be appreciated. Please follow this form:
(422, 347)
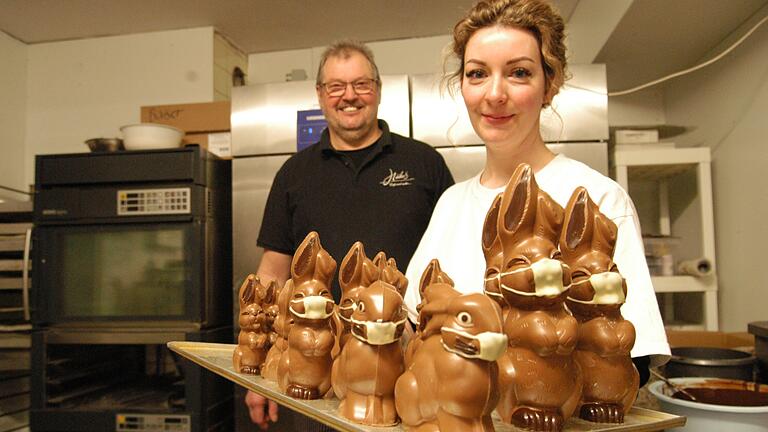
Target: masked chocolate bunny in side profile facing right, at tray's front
(453, 385)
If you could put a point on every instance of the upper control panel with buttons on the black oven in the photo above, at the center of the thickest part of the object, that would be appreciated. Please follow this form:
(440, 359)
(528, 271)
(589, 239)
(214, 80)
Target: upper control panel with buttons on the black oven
(138, 202)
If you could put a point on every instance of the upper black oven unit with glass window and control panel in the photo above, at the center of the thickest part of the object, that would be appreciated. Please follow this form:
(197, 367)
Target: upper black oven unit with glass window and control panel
(133, 239)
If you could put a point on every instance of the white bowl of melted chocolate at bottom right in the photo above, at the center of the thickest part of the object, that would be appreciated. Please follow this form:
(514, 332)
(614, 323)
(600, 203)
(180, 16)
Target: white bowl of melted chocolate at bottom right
(708, 417)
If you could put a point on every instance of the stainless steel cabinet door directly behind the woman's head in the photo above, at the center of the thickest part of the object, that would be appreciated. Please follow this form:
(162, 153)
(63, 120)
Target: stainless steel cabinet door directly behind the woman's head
(579, 112)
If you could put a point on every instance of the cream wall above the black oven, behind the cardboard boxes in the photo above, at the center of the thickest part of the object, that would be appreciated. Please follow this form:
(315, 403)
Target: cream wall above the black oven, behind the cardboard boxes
(89, 88)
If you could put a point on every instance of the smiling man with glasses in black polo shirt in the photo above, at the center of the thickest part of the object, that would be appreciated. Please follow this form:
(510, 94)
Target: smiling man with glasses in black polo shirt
(359, 182)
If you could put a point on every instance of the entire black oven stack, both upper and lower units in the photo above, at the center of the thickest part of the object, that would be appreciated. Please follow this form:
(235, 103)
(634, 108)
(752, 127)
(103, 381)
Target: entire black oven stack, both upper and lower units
(132, 250)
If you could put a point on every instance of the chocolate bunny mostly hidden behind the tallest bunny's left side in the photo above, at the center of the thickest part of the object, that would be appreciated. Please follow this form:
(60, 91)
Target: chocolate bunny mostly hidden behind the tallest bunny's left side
(494, 256)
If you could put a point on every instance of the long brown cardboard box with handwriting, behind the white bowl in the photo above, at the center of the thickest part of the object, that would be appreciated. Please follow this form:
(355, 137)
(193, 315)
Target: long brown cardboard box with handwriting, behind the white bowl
(191, 118)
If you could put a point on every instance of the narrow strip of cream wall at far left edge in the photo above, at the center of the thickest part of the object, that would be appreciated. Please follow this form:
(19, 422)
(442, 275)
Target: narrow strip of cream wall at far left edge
(13, 78)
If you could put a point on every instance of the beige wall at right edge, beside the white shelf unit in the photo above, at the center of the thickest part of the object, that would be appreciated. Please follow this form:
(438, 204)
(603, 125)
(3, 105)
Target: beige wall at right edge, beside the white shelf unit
(725, 107)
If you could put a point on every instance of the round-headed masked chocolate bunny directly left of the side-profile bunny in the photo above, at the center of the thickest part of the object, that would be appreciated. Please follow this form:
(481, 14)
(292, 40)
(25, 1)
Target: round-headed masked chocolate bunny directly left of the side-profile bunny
(365, 373)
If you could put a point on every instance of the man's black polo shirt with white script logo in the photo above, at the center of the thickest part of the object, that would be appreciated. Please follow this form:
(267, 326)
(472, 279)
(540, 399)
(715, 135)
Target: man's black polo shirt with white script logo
(386, 201)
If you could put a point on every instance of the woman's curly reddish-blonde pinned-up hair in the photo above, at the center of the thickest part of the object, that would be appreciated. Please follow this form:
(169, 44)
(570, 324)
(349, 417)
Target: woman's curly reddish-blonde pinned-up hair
(536, 16)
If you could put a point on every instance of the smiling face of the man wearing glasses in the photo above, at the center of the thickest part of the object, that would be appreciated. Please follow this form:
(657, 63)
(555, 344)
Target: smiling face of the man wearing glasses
(351, 117)
